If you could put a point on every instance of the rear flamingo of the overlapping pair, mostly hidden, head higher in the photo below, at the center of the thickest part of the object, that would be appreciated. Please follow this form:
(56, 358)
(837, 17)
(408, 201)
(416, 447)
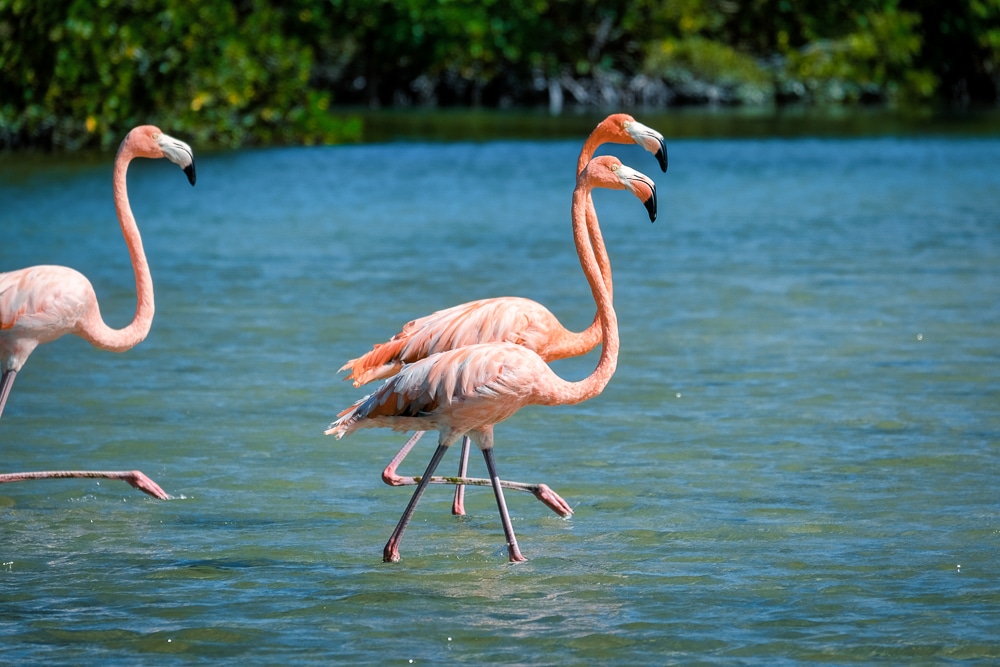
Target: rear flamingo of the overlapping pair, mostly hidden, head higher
(513, 319)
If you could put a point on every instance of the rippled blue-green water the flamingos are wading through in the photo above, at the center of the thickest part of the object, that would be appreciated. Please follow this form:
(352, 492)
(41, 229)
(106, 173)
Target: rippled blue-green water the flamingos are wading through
(796, 461)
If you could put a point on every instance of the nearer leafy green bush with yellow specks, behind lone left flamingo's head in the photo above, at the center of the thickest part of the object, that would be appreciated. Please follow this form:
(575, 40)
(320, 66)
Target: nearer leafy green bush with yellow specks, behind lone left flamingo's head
(83, 73)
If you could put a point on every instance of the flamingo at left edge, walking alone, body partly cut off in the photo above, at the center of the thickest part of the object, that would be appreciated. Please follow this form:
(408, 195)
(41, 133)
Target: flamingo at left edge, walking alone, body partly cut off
(42, 303)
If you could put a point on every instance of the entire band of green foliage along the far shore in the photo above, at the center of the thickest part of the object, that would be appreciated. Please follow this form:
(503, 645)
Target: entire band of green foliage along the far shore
(77, 73)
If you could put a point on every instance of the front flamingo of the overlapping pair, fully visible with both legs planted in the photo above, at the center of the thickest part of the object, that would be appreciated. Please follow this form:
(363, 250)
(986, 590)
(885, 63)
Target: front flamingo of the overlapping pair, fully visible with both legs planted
(469, 389)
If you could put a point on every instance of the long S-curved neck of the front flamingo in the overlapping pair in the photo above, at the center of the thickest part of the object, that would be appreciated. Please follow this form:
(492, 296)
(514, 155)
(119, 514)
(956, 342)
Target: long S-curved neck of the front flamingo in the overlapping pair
(589, 245)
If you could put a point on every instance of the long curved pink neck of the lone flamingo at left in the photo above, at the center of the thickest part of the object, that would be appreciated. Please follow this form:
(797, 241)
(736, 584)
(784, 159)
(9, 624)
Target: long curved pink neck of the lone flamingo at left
(95, 330)
